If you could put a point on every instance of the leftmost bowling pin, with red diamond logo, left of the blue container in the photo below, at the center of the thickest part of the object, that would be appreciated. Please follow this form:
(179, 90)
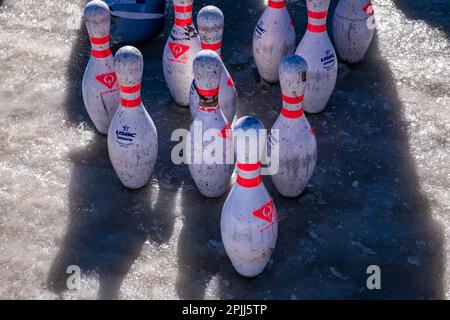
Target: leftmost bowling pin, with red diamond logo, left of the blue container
(99, 86)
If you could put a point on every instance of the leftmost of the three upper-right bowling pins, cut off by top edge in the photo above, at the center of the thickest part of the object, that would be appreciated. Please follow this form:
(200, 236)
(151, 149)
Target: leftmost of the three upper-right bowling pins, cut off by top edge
(273, 39)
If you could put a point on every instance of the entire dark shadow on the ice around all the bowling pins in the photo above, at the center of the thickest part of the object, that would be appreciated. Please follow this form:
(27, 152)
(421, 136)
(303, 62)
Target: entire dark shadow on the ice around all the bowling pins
(363, 206)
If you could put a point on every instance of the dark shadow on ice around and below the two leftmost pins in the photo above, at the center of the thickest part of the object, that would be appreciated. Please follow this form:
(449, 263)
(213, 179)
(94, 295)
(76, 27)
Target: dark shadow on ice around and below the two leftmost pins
(108, 224)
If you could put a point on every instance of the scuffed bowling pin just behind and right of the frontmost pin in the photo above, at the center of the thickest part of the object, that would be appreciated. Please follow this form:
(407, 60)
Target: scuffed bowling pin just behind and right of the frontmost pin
(296, 141)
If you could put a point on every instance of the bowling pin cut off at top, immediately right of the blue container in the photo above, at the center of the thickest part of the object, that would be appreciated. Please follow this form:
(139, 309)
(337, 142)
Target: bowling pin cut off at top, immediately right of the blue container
(181, 47)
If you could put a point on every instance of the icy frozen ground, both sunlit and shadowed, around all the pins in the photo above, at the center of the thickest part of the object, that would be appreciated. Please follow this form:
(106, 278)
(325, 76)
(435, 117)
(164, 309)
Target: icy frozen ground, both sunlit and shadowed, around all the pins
(379, 195)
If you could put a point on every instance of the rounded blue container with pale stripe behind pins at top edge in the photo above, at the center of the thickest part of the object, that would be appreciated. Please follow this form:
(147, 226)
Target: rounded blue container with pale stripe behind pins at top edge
(136, 21)
